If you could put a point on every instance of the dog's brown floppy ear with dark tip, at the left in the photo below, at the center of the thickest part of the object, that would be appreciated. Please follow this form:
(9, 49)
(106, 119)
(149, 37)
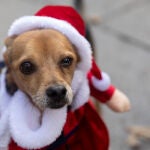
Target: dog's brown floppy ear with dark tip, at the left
(10, 84)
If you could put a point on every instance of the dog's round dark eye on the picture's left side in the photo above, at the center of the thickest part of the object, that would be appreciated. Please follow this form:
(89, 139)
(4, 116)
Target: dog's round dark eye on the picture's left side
(27, 68)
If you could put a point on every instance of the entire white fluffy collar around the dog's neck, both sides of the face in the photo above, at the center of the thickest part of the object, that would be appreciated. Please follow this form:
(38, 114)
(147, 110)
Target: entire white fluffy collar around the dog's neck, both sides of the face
(20, 120)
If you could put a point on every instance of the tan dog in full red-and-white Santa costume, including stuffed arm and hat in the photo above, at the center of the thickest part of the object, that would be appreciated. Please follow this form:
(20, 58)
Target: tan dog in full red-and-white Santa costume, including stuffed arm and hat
(45, 89)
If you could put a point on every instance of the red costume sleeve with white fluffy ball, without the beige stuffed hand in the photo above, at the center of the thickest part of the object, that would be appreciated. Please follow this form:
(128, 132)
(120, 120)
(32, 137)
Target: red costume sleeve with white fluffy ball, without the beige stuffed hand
(99, 83)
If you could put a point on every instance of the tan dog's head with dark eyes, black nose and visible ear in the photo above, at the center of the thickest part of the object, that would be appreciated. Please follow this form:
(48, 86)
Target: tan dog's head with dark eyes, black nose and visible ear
(41, 63)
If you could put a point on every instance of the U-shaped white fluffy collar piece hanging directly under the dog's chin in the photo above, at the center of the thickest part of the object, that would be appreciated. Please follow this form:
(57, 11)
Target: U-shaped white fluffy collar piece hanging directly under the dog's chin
(25, 124)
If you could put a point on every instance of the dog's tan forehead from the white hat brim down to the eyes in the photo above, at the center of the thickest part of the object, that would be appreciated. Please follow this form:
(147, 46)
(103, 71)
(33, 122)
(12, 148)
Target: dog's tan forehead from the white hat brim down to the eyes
(41, 44)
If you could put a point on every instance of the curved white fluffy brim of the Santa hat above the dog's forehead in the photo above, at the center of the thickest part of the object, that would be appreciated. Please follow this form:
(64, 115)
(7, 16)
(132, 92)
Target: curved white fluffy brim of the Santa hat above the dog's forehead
(27, 23)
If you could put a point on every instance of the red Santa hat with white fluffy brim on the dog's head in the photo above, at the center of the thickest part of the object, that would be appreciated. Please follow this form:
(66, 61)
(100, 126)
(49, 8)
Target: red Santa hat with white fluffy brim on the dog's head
(62, 18)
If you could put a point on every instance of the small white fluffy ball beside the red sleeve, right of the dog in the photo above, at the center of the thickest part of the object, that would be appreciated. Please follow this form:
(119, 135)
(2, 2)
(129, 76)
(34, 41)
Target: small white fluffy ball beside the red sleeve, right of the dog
(102, 84)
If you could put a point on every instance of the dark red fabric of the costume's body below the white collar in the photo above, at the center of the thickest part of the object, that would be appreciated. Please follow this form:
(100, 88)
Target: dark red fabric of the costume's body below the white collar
(91, 134)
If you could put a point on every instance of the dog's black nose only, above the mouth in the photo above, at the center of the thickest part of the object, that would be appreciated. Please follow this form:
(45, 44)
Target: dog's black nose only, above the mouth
(56, 92)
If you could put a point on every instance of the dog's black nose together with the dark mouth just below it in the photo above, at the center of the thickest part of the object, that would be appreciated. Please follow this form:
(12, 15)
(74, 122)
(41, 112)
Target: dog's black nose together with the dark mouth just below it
(57, 96)
